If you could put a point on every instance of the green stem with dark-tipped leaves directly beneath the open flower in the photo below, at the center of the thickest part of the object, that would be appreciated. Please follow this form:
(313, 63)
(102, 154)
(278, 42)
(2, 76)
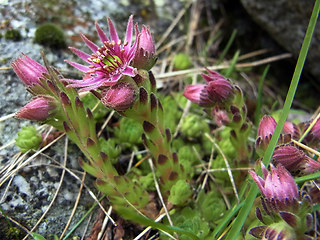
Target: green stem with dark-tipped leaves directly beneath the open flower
(148, 110)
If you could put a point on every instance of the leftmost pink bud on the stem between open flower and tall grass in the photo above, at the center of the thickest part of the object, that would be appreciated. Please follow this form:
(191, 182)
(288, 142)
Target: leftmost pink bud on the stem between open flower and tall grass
(197, 94)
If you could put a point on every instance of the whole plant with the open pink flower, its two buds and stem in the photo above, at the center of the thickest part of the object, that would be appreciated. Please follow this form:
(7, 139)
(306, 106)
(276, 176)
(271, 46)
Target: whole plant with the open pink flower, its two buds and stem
(118, 75)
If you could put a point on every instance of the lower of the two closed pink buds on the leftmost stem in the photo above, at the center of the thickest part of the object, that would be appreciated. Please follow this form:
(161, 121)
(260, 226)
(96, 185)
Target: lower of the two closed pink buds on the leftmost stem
(38, 109)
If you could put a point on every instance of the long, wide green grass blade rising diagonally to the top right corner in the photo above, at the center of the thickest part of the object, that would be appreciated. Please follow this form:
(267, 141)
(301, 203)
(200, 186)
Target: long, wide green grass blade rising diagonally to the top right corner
(239, 221)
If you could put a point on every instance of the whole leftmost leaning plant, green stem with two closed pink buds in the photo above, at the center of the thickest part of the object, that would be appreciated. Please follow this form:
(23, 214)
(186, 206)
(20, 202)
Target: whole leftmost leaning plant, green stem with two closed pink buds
(61, 107)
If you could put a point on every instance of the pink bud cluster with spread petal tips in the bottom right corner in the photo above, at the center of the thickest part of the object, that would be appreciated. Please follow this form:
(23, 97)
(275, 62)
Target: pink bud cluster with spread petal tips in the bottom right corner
(285, 211)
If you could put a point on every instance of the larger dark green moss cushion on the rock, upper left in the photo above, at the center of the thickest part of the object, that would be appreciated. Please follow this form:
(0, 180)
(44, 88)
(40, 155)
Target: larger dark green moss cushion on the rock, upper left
(50, 35)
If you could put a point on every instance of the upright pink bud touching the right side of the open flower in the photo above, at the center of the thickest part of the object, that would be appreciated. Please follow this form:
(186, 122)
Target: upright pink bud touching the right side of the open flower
(144, 57)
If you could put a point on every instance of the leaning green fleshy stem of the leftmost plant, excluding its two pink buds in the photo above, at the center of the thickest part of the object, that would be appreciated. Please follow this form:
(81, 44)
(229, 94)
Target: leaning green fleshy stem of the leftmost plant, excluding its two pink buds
(79, 125)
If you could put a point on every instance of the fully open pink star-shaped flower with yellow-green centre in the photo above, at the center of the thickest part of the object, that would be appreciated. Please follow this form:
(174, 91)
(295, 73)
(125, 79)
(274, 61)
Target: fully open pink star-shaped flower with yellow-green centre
(108, 63)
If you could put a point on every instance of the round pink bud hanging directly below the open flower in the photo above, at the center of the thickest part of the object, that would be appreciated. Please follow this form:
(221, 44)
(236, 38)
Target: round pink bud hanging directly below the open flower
(119, 97)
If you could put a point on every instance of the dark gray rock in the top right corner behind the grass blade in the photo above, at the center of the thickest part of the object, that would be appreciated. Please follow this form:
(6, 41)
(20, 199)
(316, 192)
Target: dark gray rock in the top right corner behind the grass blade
(286, 21)
